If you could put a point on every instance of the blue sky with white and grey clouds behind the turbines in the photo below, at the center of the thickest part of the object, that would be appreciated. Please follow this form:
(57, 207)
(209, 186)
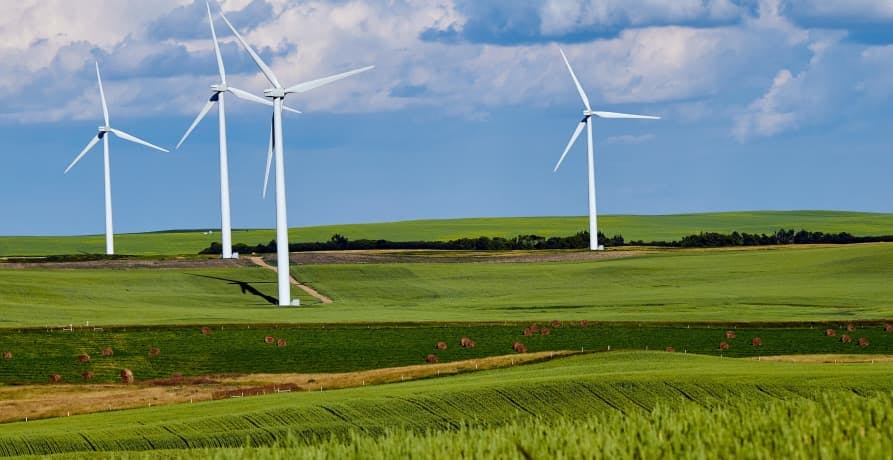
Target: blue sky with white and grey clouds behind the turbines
(767, 104)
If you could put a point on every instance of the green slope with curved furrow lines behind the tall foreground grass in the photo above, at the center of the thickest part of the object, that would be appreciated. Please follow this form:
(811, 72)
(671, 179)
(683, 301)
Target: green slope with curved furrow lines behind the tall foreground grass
(575, 388)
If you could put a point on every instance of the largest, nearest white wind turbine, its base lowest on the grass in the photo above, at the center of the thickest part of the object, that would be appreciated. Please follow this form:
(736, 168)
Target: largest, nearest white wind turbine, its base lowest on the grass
(278, 93)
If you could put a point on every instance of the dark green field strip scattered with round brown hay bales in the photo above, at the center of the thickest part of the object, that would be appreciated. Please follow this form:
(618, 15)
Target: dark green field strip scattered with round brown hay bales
(37, 354)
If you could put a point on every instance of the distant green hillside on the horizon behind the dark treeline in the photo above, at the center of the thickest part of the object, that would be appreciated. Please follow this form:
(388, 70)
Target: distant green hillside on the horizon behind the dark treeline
(646, 228)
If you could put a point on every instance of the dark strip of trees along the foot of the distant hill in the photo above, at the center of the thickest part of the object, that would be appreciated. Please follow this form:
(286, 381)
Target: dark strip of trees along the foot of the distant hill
(578, 241)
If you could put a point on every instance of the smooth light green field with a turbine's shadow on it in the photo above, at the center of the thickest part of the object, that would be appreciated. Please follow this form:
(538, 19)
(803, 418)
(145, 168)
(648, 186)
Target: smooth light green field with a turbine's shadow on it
(778, 284)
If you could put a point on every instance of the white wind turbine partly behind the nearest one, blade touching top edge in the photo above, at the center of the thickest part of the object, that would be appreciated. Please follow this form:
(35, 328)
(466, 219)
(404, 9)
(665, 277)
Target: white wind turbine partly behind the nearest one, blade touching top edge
(217, 97)
